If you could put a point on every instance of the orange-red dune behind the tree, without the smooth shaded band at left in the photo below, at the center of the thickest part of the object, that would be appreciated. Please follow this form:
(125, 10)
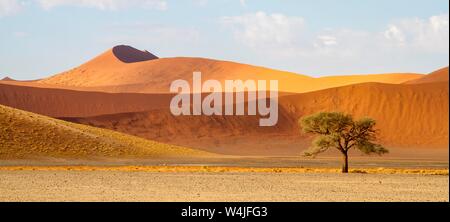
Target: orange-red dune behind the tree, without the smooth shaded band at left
(409, 116)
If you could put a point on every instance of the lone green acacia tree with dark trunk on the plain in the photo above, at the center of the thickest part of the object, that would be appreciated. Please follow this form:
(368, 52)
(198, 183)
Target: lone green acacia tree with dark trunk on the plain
(340, 131)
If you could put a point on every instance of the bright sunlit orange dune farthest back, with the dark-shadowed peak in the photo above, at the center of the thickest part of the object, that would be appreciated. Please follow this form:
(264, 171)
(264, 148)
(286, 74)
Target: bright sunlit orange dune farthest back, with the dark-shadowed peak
(109, 73)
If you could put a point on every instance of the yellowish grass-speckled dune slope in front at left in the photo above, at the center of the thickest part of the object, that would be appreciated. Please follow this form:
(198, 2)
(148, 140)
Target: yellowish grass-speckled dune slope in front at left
(28, 135)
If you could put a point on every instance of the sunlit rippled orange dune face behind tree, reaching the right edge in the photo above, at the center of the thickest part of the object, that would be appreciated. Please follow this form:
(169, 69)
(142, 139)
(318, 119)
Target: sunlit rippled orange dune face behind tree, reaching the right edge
(409, 116)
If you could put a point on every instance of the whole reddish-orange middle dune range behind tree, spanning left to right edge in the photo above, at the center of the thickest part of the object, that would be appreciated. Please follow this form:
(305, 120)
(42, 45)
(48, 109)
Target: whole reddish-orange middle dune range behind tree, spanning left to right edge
(408, 116)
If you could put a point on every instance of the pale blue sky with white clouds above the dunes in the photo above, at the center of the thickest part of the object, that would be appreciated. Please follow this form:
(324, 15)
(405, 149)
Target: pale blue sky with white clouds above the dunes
(39, 38)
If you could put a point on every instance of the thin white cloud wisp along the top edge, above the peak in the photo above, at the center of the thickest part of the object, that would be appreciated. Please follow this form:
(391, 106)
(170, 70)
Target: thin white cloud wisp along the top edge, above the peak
(105, 4)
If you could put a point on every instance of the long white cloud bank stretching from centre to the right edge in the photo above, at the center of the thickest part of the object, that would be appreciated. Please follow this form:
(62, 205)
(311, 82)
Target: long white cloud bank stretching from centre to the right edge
(288, 34)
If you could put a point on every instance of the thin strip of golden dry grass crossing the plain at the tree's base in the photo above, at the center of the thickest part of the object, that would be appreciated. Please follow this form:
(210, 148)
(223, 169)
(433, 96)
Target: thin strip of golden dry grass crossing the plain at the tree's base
(213, 169)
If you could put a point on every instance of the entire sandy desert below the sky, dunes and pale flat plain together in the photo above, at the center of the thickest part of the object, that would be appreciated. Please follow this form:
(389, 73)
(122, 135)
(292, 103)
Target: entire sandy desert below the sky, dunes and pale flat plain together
(125, 90)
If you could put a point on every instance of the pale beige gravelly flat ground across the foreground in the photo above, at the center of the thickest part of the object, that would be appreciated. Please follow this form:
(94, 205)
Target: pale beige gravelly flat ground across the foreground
(236, 187)
